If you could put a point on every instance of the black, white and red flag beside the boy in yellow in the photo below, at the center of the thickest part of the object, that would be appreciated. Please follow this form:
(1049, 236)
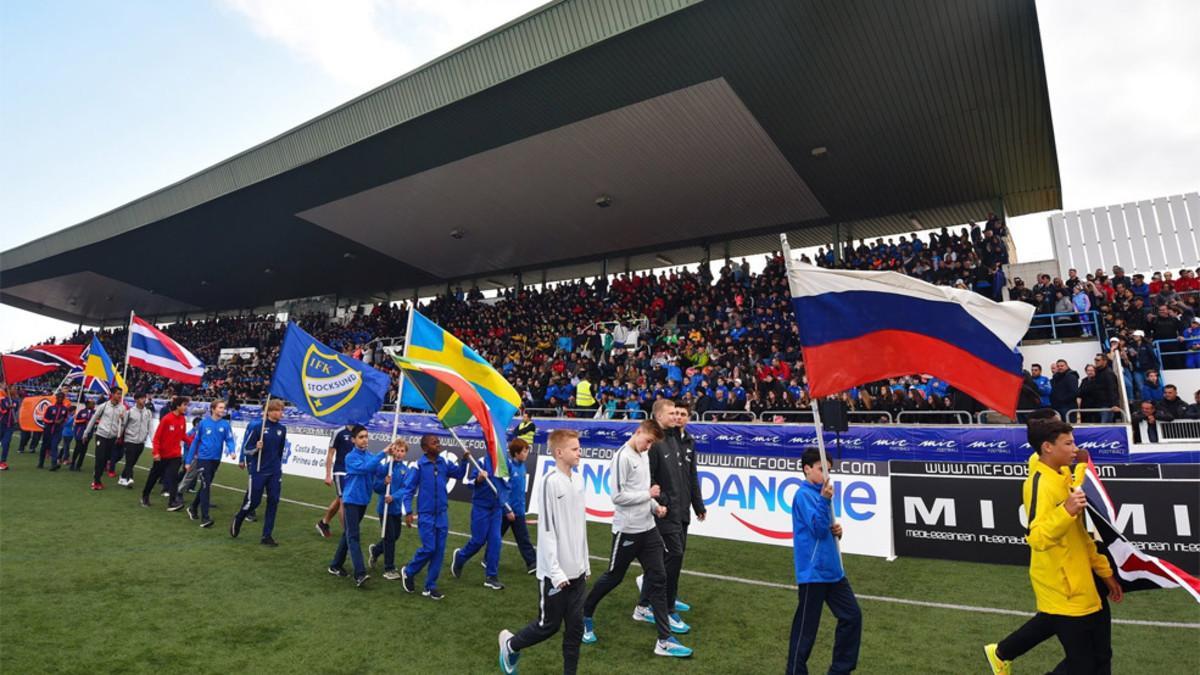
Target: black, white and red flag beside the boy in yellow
(1136, 570)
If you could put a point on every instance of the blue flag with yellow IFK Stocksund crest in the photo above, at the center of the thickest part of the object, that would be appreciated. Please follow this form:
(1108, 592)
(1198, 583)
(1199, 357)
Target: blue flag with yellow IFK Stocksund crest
(329, 386)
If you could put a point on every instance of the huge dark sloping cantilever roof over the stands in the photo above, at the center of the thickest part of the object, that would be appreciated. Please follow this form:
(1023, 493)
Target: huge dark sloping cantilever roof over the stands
(701, 122)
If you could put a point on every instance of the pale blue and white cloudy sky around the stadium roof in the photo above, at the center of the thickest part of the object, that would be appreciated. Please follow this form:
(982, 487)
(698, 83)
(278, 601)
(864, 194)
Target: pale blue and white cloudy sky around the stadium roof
(105, 103)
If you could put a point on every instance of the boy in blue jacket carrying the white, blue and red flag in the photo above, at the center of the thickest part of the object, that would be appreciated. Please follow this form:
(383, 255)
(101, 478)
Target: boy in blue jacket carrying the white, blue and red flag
(820, 576)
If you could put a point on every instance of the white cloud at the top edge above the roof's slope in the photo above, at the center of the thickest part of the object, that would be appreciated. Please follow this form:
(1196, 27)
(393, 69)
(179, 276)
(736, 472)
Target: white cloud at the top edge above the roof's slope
(369, 43)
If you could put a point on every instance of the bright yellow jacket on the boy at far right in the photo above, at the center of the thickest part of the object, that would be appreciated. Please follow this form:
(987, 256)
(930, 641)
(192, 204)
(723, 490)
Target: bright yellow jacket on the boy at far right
(1063, 554)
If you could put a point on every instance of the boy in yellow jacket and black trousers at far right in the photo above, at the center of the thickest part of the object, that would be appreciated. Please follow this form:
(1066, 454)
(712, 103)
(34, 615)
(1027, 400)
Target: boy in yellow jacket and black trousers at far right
(1063, 561)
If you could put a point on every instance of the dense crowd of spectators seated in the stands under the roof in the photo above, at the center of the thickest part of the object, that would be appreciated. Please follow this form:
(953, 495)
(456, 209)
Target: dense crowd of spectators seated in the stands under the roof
(727, 343)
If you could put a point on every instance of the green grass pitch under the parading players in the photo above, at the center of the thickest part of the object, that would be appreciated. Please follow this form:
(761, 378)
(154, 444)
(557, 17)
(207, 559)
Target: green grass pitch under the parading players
(92, 582)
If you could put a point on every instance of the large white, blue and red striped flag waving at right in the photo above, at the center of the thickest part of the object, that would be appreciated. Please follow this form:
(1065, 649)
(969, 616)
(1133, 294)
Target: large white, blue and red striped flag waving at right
(859, 327)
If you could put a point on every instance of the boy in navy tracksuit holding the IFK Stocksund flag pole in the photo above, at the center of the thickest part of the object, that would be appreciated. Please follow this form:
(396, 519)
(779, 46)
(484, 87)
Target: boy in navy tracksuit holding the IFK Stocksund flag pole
(262, 456)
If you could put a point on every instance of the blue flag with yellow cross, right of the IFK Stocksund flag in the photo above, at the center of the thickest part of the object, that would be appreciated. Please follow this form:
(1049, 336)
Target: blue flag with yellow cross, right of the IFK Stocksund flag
(431, 344)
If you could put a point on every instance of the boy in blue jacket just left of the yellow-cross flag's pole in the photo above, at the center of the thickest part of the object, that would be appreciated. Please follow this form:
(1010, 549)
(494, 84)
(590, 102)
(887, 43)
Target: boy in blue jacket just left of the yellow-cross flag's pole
(362, 469)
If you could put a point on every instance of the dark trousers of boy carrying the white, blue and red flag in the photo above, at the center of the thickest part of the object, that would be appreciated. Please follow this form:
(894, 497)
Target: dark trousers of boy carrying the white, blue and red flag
(847, 638)
